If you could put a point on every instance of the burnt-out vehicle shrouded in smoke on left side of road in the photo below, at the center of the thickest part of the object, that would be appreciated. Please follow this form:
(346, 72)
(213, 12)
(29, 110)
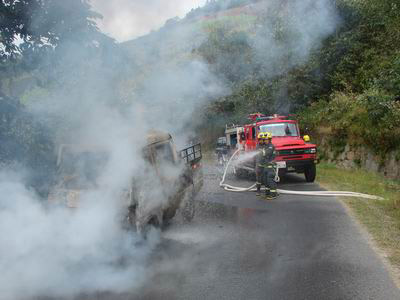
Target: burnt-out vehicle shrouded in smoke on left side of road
(177, 175)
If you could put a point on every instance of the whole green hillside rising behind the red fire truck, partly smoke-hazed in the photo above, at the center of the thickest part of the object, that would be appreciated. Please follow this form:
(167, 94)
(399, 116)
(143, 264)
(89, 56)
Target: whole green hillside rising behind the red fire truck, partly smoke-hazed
(345, 80)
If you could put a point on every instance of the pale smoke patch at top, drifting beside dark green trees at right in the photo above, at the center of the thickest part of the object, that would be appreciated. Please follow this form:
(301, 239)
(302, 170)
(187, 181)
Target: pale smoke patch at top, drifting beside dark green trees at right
(290, 31)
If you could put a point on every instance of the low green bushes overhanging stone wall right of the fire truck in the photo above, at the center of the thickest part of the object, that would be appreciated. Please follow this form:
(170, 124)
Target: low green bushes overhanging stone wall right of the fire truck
(370, 118)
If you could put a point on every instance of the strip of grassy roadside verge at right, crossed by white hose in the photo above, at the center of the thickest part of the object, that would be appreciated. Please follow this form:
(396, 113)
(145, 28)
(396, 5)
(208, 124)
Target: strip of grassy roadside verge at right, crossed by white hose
(381, 218)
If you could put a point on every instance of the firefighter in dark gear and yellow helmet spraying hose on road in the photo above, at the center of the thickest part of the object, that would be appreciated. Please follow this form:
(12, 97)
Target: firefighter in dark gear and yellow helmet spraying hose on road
(265, 171)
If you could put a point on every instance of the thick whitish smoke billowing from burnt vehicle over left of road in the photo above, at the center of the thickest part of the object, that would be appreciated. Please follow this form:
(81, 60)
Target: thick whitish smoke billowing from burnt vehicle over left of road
(63, 252)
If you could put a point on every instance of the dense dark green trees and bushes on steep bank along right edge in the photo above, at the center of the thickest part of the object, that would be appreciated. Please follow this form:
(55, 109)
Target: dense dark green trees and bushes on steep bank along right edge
(361, 101)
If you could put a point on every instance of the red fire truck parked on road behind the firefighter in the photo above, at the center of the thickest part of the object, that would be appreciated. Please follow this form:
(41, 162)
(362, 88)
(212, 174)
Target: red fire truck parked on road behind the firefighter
(294, 153)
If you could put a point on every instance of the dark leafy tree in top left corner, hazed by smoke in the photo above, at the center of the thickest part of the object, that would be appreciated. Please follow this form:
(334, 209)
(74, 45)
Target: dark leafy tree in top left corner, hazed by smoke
(39, 36)
